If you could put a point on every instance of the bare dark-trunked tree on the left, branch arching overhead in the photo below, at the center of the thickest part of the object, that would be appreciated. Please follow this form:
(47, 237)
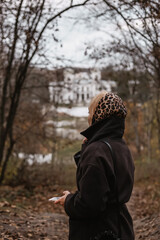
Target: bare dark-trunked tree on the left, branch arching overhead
(22, 27)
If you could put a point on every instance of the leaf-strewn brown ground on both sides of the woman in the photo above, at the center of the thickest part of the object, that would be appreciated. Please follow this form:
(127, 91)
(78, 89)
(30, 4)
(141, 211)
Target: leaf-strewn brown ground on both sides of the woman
(29, 215)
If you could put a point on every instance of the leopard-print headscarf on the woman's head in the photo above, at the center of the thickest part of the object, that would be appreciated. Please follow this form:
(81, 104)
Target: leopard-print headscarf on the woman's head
(109, 105)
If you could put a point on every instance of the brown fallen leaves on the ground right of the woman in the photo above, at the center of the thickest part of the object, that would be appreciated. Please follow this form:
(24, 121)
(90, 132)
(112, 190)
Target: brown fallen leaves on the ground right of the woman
(144, 207)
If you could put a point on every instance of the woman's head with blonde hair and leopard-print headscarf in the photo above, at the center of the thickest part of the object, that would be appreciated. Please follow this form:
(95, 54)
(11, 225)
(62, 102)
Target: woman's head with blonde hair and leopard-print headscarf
(104, 105)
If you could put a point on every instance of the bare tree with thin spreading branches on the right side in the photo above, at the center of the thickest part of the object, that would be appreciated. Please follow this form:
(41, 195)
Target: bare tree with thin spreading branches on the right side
(135, 45)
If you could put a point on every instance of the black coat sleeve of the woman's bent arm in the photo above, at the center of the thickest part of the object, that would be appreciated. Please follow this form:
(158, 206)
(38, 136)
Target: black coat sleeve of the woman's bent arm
(93, 194)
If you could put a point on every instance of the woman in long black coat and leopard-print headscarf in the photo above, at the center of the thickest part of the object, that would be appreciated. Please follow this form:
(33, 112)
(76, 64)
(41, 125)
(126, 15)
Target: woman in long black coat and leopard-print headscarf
(92, 209)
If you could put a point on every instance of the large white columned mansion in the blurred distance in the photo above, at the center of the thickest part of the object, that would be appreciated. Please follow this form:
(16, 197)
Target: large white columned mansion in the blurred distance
(78, 86)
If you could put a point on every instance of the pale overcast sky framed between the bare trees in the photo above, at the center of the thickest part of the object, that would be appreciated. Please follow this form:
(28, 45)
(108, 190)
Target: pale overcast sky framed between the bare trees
(73, 38)
